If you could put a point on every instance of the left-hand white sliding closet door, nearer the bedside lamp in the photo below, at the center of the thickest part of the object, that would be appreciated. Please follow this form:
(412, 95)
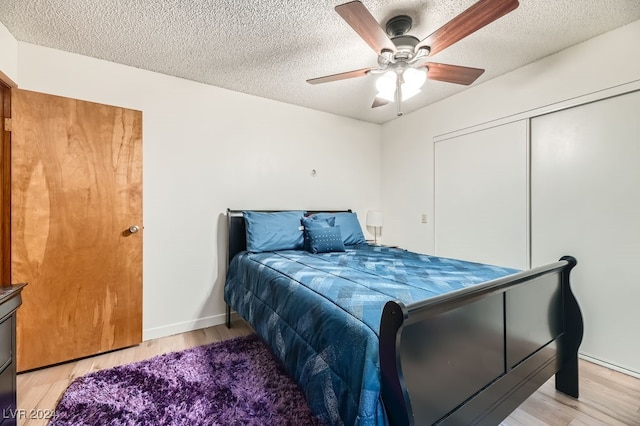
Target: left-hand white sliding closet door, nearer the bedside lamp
(481, 196)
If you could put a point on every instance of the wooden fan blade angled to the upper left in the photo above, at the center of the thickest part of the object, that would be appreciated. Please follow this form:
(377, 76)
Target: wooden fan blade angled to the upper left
(361, 20)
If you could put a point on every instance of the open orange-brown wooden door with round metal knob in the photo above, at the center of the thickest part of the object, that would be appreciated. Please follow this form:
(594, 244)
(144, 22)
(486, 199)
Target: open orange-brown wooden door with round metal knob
(76, 190)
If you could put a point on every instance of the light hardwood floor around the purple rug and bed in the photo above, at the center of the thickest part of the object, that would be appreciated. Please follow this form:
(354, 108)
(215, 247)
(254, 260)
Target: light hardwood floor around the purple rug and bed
(607, 397)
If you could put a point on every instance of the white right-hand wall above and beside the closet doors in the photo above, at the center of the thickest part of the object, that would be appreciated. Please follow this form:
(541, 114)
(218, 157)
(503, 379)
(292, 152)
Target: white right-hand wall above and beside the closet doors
(407, 149)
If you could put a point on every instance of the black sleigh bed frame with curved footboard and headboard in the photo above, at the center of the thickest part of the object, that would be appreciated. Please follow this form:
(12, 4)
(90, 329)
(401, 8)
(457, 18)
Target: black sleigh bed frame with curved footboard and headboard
(474, 355)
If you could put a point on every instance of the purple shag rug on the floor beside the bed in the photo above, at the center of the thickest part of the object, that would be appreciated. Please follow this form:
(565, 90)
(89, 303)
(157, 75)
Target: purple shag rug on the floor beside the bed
(233, 382)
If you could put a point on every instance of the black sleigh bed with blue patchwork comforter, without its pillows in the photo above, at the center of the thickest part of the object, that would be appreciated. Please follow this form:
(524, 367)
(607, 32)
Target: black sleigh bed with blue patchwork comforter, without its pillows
(378, 335)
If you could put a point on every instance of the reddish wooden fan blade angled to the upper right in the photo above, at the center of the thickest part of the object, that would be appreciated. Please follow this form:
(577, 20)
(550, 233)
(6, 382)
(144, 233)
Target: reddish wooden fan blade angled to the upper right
(477, 16)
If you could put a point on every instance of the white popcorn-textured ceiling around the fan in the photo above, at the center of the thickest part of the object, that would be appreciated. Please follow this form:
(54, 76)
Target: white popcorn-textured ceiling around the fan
(268, 48)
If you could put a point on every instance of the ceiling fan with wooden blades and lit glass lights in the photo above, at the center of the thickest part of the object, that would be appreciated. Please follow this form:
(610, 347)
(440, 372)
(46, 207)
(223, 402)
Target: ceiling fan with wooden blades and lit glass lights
(402, 57)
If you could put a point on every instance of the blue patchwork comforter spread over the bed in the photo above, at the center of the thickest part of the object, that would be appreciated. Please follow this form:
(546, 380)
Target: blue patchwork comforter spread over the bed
(320, 314)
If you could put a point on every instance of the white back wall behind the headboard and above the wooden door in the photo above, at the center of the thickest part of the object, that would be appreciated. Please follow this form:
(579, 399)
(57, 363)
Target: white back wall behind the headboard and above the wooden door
(207, 149)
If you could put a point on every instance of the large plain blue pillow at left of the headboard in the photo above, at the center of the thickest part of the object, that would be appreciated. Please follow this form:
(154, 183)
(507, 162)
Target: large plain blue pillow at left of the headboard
(273, 230)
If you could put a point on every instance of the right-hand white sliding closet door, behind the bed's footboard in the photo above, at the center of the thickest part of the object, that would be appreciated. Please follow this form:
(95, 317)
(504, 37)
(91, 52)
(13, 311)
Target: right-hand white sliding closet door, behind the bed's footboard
(585, 202)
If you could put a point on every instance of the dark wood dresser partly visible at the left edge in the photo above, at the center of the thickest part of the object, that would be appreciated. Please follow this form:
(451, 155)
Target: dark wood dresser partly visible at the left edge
(10, 300)
